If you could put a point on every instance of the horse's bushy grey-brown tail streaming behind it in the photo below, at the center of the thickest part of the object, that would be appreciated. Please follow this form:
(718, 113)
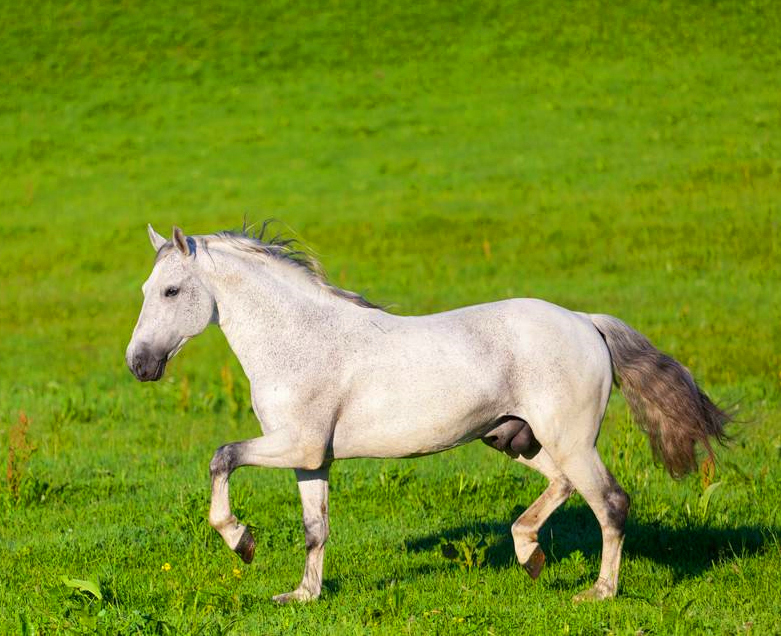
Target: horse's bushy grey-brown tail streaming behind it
(664, 398)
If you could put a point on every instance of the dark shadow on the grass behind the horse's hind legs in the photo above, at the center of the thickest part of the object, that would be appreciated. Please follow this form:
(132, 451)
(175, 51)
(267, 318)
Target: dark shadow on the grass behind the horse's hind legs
(686, 551)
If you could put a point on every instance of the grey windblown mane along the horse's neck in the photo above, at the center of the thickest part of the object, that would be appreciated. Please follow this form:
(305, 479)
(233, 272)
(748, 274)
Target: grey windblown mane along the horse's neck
(285, 249)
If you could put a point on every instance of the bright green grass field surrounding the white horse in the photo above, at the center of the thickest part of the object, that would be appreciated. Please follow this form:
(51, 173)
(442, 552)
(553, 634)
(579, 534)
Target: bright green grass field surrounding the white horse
(611, 157)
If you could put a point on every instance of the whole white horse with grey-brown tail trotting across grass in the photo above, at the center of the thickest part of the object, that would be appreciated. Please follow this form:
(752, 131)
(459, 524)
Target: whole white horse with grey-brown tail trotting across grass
(333, 377)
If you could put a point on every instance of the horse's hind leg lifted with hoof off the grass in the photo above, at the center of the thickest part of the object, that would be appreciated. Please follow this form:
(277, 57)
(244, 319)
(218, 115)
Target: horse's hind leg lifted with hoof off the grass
(526, 527)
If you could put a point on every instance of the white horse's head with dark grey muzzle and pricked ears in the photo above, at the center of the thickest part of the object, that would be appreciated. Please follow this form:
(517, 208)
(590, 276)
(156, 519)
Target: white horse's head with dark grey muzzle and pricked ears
(176, 307)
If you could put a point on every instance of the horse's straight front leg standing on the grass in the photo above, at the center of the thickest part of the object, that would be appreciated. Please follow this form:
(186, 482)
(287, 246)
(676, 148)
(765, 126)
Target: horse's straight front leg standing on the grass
(313, 486)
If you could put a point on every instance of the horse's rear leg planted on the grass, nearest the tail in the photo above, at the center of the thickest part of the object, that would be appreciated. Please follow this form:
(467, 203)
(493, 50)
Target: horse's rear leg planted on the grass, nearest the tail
(610, 504)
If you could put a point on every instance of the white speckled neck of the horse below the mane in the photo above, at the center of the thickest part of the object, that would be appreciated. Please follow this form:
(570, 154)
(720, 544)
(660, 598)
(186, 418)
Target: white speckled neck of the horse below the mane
(273, 318)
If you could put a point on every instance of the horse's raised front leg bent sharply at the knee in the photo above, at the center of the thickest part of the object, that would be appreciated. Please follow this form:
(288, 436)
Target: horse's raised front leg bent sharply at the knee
(280, 449)
